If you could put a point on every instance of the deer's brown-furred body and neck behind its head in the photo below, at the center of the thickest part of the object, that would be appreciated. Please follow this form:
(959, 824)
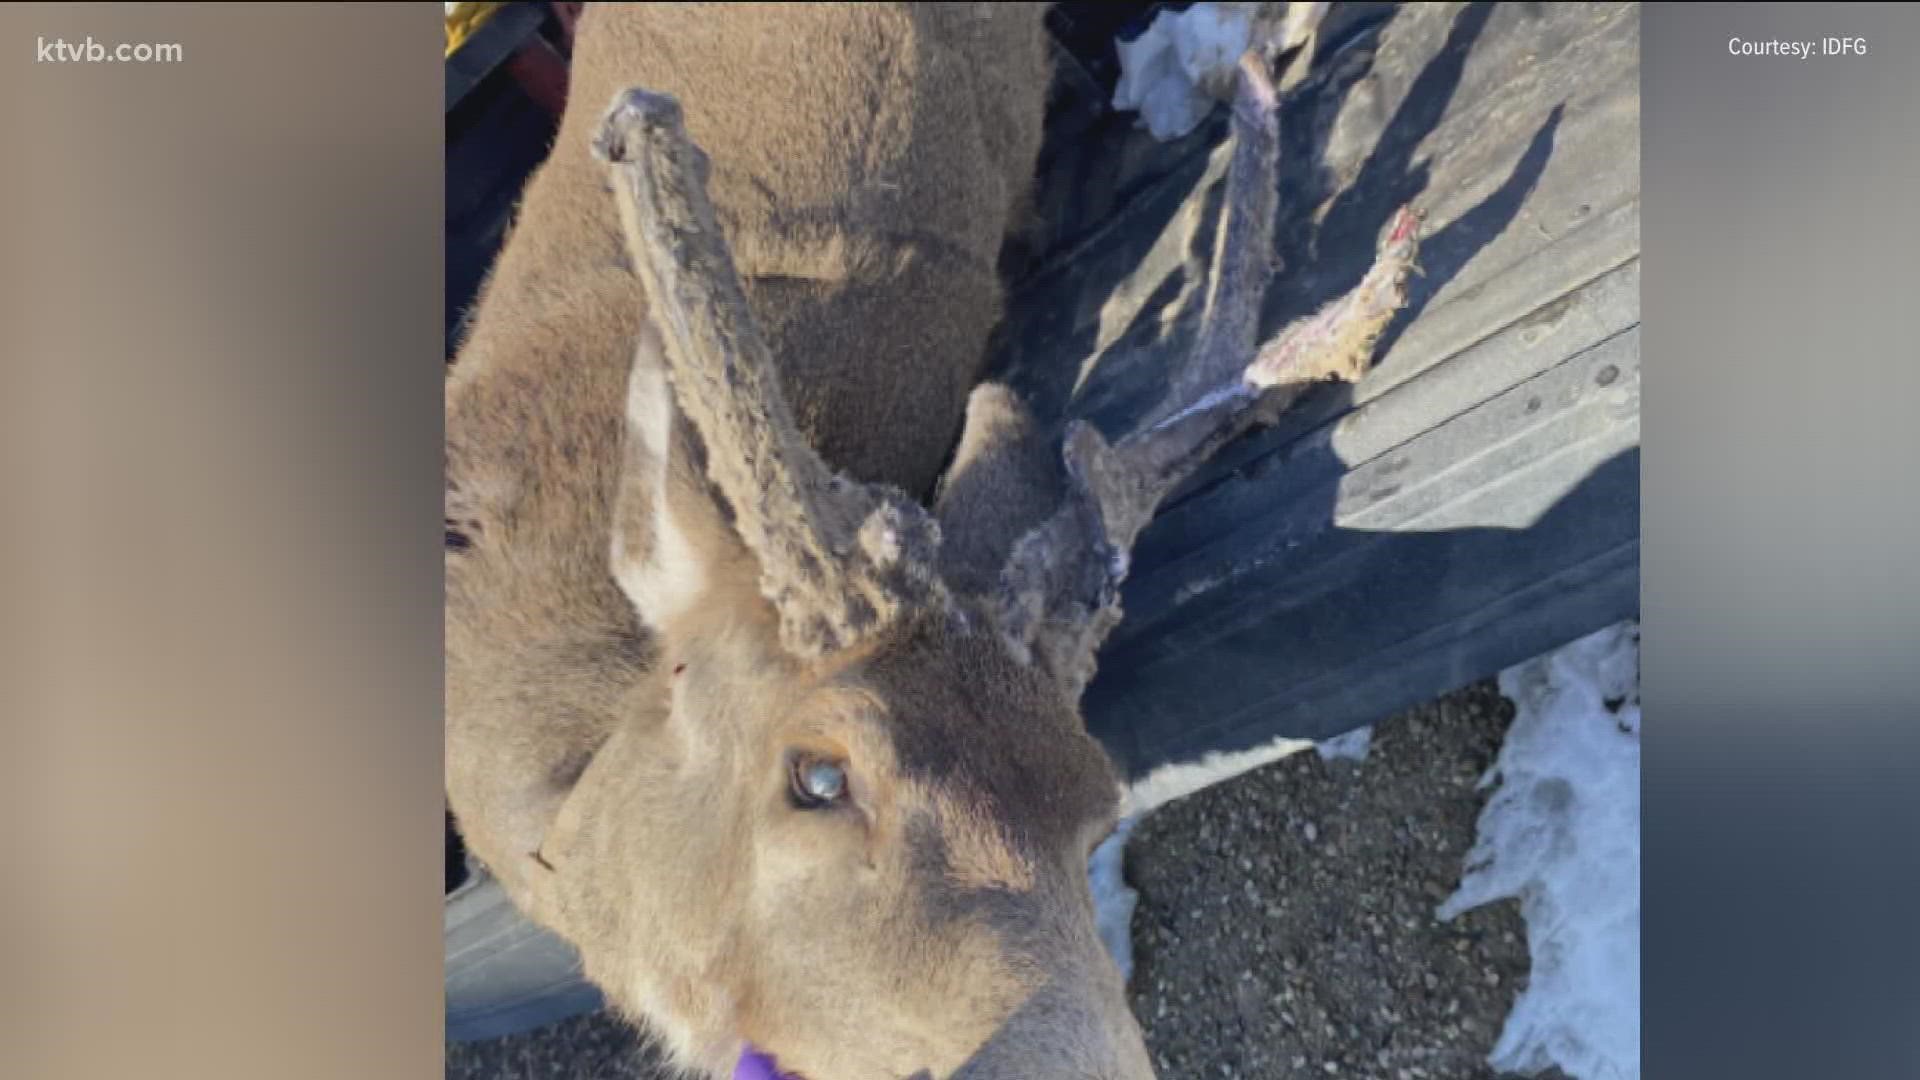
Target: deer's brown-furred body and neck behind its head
(867, 162)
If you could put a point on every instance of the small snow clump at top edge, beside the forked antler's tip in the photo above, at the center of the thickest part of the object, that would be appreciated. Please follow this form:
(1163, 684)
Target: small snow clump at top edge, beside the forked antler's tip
(1174, 72)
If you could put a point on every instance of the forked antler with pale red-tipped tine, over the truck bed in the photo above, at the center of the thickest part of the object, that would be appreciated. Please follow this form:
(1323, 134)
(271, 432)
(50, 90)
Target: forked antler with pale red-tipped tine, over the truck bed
(1061, 587)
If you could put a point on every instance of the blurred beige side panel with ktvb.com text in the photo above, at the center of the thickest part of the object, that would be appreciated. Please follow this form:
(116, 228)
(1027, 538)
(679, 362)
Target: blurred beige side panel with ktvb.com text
(222, 591)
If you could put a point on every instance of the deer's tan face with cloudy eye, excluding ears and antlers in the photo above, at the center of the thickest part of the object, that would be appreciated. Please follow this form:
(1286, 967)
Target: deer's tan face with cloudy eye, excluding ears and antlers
(873, 866)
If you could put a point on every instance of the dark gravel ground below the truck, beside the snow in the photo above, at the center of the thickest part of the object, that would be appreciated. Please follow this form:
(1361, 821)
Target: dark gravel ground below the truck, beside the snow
(1285, 925)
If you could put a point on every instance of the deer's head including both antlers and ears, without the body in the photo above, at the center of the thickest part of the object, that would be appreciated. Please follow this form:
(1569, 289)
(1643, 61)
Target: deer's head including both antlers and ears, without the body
(853, 822)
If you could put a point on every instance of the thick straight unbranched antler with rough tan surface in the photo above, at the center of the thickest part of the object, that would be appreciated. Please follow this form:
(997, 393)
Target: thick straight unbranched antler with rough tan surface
(838, 558)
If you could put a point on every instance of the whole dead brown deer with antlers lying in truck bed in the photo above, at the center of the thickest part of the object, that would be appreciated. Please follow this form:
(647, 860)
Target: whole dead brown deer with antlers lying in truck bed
(775, 729)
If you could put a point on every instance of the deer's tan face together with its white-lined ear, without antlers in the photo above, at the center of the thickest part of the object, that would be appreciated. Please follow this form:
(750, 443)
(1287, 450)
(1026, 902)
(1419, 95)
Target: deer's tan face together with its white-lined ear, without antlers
(867, 860)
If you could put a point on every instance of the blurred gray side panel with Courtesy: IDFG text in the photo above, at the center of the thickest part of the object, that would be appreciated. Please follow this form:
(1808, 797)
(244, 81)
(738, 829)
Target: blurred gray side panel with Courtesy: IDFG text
(1783, 545)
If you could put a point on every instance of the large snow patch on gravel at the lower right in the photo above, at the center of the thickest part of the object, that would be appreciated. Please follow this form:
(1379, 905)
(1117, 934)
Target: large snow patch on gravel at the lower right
(1562, 833)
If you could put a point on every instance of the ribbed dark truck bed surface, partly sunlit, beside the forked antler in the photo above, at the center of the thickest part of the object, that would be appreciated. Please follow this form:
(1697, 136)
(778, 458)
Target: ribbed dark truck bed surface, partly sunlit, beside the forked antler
(1474, 501)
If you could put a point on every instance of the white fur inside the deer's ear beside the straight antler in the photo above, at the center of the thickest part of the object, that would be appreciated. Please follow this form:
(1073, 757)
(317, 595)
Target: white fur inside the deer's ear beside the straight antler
(673, 576)
